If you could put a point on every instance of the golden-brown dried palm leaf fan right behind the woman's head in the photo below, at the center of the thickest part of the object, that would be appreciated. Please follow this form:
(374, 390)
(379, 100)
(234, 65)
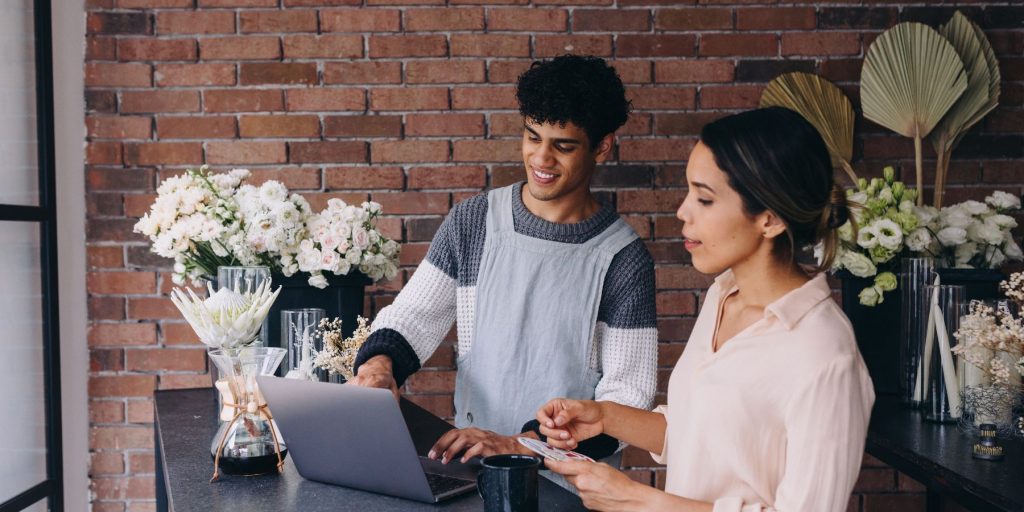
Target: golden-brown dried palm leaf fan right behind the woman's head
(822, 104)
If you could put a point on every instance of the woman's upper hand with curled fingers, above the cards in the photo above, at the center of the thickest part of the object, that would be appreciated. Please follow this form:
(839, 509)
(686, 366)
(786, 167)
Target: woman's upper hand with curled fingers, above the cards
(567, 422)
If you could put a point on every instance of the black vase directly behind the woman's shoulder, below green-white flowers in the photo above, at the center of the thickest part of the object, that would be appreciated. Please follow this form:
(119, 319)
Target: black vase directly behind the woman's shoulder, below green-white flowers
(877, 330)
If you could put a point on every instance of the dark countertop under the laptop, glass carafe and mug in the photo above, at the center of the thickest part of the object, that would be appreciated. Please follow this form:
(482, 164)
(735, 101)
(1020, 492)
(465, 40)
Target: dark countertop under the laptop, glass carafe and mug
(186, 424)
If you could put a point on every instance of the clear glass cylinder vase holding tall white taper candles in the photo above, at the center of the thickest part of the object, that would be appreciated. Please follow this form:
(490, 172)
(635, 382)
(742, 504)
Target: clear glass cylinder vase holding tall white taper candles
(942, 399)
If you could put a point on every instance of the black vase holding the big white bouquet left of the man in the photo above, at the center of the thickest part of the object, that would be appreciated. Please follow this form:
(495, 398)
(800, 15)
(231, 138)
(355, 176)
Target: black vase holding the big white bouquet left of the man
(344, 297)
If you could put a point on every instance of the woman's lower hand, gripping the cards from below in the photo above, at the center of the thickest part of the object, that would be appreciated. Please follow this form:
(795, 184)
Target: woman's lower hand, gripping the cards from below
(601, 486)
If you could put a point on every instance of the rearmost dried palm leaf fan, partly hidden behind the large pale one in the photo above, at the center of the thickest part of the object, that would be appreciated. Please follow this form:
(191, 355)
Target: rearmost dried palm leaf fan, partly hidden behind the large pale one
(982, 97)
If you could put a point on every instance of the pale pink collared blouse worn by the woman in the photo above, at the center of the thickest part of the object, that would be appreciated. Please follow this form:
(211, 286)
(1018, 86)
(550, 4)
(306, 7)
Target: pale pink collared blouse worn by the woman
(777, 419)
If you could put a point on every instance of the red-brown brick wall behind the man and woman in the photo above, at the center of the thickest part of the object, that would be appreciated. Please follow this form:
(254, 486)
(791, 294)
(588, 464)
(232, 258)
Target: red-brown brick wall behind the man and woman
(411, 103)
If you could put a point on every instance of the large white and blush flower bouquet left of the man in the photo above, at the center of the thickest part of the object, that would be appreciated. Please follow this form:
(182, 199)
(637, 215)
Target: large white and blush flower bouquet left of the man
(204, 221)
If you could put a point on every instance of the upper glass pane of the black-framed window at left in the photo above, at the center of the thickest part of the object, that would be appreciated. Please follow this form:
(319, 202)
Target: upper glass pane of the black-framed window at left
(18, 105)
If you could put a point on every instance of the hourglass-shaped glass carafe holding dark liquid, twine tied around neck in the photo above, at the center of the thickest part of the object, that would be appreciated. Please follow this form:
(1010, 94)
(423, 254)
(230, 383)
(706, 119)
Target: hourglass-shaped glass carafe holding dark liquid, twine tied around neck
(248, 443)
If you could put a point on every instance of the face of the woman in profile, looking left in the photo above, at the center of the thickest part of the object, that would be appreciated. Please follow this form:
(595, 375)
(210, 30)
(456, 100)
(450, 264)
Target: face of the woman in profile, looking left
(717, 231)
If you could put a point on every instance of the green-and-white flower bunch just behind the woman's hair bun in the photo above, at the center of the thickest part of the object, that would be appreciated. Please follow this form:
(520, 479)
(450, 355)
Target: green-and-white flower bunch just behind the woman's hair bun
(888, 226)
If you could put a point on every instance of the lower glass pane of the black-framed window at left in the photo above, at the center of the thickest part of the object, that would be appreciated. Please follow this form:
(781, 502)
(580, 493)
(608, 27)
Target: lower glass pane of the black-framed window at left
(24, 447)
